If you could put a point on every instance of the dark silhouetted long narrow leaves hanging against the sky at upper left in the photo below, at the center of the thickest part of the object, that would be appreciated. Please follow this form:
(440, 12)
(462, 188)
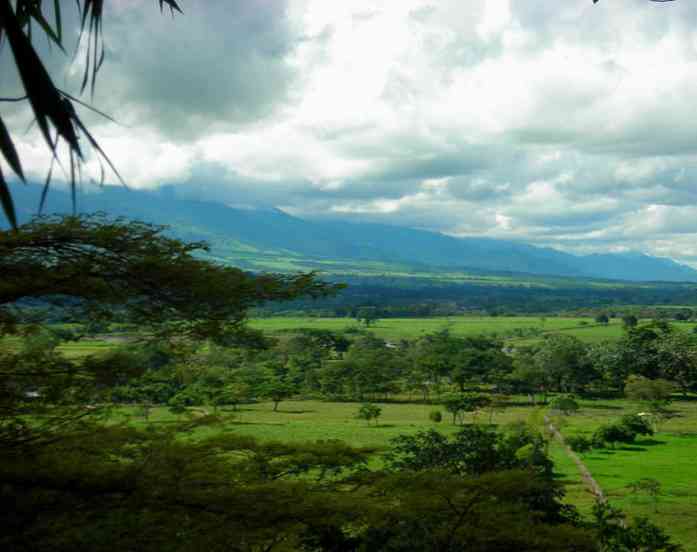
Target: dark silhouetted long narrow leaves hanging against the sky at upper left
(53, 109)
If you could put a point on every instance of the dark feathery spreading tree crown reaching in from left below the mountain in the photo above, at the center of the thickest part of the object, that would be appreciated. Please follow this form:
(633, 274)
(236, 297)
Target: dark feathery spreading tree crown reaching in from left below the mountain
(100, 266)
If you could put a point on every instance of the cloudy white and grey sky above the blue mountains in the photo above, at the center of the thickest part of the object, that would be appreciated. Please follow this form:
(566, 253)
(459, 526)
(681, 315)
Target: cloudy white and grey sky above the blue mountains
(564, 124)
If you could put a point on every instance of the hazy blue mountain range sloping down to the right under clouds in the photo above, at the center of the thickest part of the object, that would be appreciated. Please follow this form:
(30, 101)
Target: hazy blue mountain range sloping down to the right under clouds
(270, 239)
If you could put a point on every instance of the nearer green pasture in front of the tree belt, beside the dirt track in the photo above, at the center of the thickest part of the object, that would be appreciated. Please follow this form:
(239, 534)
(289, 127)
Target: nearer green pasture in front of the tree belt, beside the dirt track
(667, 457)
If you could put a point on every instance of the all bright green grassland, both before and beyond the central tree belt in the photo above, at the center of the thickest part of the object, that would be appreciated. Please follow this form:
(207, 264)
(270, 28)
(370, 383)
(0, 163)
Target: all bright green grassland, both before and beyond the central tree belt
(668, 457)
